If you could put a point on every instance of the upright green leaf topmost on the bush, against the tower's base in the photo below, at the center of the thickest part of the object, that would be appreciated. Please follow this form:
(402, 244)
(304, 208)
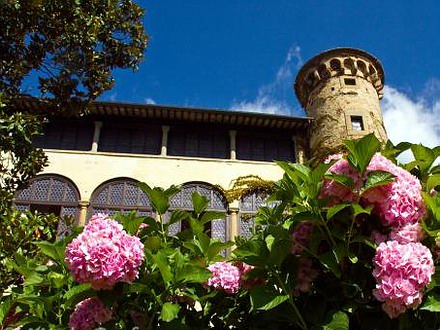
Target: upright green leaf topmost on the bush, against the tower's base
(361, 151)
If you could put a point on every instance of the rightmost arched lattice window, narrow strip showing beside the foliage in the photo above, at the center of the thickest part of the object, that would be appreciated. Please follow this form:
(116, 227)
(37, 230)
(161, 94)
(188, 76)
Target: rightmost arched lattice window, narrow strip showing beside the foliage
(249, 205)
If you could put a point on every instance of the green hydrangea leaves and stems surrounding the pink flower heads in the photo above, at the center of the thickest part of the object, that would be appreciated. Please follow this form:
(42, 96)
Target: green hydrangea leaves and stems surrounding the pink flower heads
(170, 291)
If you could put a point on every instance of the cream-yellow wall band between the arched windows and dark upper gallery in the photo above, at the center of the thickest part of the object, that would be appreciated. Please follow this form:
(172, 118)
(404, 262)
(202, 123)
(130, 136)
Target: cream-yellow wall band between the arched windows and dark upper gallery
(90, 169)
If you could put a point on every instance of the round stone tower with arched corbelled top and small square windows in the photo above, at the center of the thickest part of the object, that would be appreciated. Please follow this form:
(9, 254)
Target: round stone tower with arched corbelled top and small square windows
(341, 89)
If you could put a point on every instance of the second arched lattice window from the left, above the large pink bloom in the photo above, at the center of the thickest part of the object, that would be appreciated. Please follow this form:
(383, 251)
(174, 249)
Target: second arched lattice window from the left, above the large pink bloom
(119, 195)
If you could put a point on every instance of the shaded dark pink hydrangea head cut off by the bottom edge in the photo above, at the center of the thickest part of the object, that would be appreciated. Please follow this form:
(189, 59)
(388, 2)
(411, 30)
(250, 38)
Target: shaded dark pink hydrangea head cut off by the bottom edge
(88, 314)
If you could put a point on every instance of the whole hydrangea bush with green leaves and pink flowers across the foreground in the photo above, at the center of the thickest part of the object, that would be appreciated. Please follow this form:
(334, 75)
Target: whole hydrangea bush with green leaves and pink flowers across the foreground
(351, 243)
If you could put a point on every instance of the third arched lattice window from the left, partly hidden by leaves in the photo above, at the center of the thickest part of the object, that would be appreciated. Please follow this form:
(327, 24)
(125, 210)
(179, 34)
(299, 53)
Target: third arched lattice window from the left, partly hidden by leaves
(217, 202)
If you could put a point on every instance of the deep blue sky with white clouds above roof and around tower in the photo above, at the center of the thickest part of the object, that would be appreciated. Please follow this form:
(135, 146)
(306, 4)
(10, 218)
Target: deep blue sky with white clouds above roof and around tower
(244, 55)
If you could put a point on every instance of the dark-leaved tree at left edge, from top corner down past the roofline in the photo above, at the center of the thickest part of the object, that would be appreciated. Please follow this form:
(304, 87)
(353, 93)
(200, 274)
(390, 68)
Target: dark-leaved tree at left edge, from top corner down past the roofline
(64, 53)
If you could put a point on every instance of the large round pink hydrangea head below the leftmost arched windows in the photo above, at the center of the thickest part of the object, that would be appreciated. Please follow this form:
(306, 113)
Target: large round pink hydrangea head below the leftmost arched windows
(104, 254)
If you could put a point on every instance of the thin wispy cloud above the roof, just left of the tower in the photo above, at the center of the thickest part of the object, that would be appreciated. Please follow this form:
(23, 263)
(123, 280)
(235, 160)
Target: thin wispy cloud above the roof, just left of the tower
(274, 97)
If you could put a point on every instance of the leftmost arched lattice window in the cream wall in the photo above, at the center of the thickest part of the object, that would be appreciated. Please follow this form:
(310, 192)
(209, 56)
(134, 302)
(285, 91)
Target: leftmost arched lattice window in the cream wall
(50, 194)
